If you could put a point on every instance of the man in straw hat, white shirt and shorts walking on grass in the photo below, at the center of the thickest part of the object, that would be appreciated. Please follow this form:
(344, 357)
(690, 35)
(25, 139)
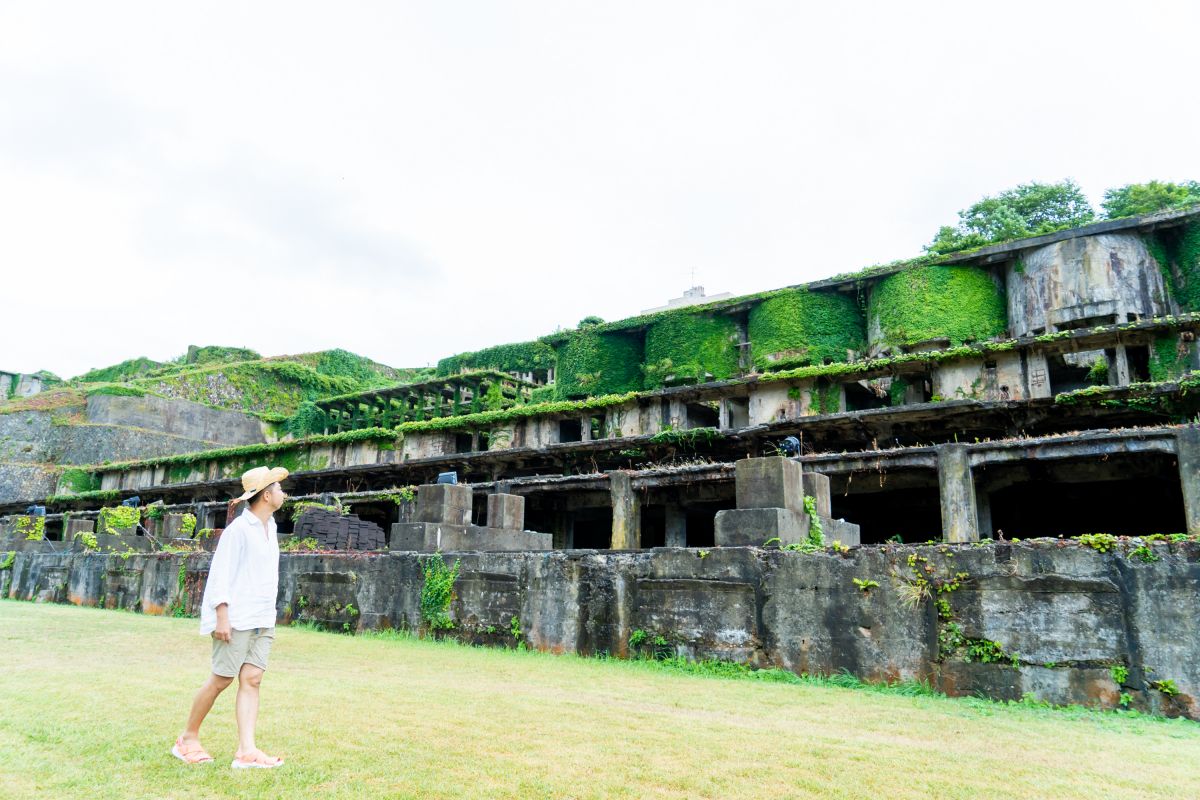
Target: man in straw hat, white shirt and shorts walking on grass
(239, 612)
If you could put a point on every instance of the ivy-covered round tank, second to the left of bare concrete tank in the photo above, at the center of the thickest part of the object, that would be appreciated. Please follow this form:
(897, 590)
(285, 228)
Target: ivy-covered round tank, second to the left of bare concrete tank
(799, 328)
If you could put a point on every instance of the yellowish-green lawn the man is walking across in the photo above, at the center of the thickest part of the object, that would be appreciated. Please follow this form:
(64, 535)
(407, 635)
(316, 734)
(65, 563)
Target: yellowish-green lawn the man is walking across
(91, 702)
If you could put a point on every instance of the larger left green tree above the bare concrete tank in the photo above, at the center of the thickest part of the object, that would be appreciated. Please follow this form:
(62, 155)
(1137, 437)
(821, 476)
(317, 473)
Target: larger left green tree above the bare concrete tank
(1027, 210)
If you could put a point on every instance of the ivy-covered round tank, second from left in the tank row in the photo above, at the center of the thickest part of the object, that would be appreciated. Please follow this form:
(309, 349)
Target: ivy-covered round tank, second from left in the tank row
(691, 348)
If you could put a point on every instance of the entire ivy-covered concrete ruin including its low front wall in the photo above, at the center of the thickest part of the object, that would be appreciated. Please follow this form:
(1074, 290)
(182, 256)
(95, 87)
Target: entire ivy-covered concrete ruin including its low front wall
(1043, 388)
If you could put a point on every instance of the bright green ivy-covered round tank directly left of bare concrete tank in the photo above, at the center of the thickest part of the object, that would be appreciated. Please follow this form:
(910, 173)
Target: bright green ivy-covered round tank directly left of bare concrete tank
(958, 304)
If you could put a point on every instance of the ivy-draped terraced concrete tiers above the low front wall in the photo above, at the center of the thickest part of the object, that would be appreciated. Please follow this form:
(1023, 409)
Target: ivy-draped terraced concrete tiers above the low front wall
(1039, 388)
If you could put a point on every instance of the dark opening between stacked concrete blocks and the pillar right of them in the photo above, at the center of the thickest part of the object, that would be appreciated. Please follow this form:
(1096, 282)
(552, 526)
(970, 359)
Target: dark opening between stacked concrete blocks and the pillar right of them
(915, 515)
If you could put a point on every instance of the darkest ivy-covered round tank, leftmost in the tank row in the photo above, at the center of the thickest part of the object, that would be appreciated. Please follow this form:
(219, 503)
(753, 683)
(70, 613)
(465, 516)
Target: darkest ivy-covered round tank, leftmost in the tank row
(592, 364)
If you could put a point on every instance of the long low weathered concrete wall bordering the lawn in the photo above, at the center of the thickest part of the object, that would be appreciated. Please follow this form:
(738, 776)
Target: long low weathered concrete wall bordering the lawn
(1061, 615)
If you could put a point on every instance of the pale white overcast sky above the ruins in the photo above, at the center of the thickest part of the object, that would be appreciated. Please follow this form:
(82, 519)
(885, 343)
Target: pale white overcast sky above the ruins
(411, 181)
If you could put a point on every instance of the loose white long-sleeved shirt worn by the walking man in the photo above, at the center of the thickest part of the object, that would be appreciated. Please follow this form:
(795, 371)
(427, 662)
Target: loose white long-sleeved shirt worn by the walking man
(244, 574)
